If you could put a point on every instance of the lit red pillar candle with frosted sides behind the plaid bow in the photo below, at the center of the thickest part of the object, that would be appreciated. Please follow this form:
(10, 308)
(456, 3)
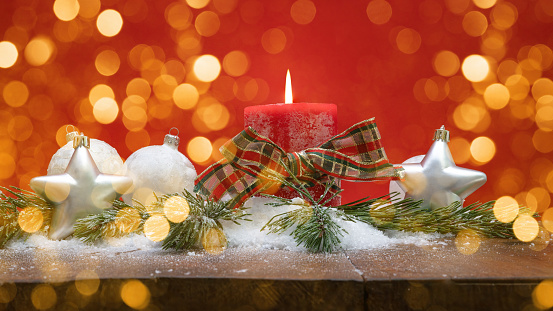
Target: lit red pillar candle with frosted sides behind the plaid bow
(295, 127)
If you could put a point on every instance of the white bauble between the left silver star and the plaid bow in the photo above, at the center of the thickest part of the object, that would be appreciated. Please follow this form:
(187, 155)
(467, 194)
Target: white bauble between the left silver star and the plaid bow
(161, 169)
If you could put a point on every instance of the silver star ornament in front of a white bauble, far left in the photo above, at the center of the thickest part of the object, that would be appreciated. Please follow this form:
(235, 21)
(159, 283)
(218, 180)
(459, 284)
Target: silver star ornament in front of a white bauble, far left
(82, 190)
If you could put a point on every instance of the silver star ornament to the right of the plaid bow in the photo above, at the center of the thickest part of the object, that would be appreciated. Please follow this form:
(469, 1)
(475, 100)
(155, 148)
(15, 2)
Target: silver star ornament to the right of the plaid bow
(434, 177)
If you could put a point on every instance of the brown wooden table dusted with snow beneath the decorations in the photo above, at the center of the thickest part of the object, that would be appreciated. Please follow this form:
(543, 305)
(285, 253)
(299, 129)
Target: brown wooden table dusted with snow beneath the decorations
(501, 275)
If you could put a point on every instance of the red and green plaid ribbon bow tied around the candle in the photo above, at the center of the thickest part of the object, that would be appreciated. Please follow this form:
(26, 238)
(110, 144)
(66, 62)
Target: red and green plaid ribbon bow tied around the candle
(253, 163)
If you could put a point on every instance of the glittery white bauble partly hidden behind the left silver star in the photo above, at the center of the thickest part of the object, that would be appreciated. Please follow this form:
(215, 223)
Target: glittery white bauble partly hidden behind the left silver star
(105, 156)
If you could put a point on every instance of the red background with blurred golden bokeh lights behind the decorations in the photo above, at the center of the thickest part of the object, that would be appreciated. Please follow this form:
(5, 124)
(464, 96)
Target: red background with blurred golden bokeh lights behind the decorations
(126, 71)
